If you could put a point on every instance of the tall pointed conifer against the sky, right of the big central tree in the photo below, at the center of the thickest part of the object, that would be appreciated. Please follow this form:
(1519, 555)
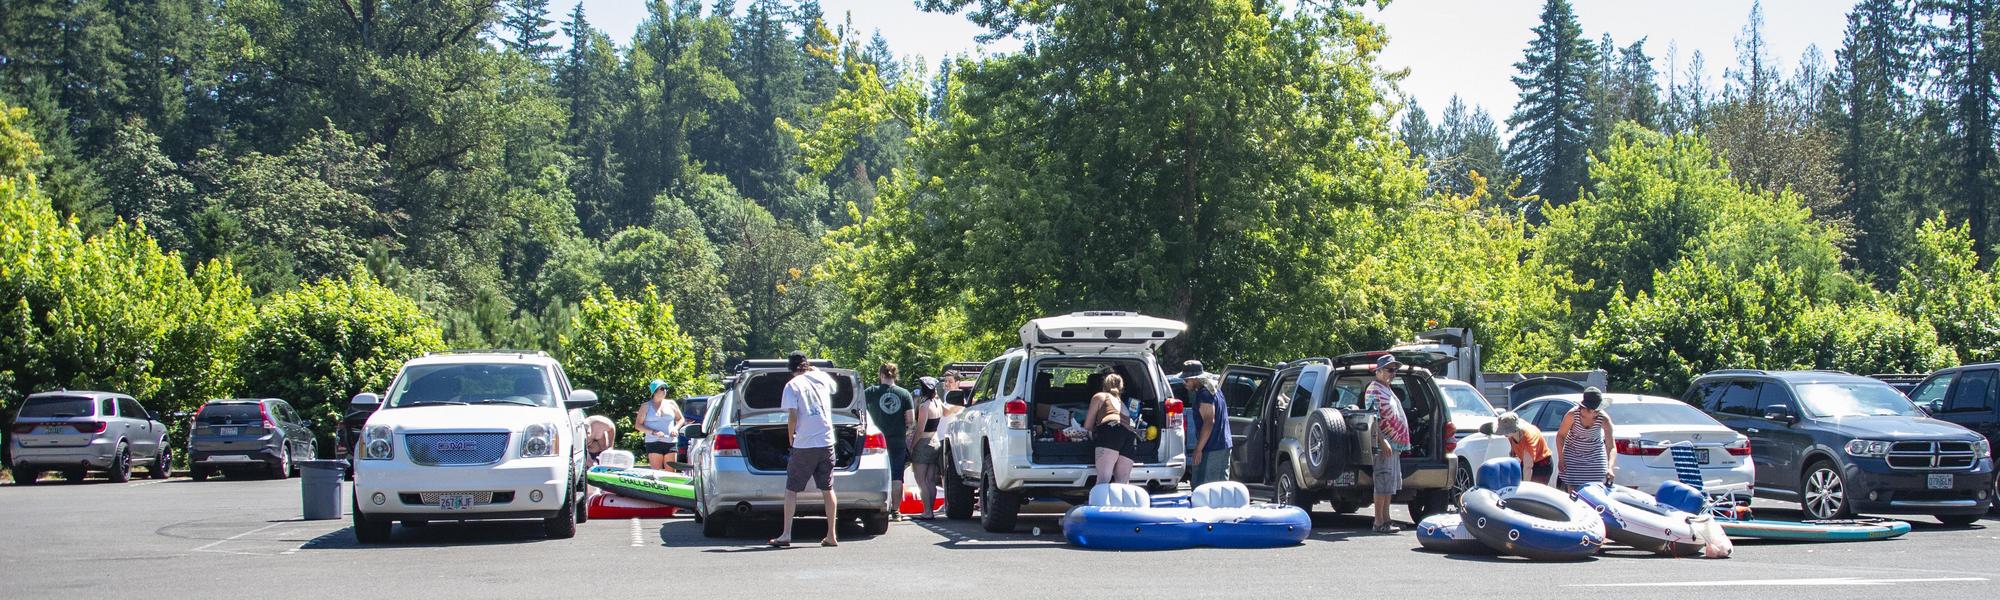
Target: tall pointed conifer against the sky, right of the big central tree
(1553, 119)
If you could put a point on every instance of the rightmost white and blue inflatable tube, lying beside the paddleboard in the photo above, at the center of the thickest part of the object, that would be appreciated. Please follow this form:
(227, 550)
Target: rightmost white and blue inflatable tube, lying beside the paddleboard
(1661, 523)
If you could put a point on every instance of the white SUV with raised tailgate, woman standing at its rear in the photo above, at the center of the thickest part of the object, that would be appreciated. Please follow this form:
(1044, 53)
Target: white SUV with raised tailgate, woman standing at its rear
(1017, 437)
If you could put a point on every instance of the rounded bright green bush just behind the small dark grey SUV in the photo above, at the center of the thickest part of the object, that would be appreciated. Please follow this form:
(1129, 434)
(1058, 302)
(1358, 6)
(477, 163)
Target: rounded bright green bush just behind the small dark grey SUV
(329, 341)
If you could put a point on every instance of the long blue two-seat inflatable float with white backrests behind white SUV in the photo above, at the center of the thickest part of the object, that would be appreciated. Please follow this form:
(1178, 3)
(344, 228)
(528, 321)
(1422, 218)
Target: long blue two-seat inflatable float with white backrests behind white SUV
(1219, 515)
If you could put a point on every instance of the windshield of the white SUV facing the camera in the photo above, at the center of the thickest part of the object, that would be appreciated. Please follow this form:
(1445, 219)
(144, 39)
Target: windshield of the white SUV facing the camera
(471, 385)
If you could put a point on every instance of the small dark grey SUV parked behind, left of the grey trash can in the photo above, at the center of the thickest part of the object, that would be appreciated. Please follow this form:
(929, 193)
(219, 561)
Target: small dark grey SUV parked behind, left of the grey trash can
(249, 437)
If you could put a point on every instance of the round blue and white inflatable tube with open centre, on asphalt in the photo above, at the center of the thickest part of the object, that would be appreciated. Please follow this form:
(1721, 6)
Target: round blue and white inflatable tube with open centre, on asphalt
(1527, 519)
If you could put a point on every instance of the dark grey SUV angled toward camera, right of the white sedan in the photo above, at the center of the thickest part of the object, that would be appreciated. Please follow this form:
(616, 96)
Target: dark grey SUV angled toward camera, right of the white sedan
(1841, 445)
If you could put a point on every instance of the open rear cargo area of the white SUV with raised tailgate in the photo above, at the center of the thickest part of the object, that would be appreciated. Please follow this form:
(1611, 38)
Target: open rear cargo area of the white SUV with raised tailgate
(1061, 399)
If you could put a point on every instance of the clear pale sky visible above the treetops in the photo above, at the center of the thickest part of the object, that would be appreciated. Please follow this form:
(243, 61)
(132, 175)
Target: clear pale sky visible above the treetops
(1451, 47)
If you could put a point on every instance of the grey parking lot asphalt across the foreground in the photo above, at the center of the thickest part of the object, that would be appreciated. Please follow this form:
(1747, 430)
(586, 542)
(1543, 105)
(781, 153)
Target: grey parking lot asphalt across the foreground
(241, 539)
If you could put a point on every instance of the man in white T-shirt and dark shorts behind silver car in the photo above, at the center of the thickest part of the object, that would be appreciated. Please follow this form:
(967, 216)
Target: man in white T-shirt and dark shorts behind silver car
(811, 421)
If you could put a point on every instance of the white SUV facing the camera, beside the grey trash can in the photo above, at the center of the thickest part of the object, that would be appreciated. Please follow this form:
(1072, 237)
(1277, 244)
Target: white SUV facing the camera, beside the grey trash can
(473, 437)
